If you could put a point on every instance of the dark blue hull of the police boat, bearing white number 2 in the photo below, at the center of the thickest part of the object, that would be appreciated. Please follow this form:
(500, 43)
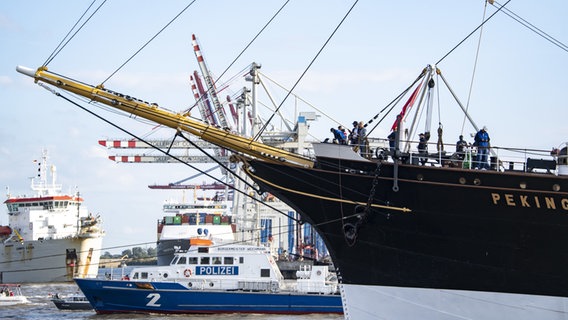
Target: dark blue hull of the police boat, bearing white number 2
(113, 296)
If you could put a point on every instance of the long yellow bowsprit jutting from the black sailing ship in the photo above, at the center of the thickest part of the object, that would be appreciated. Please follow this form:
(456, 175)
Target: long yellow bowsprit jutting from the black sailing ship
(182, 122)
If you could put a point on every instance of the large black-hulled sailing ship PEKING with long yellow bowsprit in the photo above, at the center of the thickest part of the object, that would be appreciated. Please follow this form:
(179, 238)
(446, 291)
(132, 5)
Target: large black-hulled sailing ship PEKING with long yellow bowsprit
(402, 241)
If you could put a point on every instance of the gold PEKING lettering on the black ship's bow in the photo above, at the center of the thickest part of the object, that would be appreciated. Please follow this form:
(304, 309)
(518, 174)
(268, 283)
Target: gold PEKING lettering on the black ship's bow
(532, 201)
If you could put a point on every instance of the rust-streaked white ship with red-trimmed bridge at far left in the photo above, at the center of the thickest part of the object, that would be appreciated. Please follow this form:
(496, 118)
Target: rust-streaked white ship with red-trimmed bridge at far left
(51, 236)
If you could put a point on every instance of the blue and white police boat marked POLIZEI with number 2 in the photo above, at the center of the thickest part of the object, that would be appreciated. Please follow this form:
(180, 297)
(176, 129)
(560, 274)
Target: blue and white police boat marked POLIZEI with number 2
(216, 278)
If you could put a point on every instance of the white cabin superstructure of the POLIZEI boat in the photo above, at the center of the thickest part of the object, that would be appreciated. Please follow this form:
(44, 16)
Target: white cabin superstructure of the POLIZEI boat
(206, 266)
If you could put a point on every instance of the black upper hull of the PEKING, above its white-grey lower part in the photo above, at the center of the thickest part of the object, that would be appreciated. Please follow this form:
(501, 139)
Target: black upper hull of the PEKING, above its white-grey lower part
(444, 228)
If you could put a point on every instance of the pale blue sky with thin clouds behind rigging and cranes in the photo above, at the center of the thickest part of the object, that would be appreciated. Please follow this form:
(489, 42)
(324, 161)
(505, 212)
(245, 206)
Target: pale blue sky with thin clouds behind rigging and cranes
(379, 49)
